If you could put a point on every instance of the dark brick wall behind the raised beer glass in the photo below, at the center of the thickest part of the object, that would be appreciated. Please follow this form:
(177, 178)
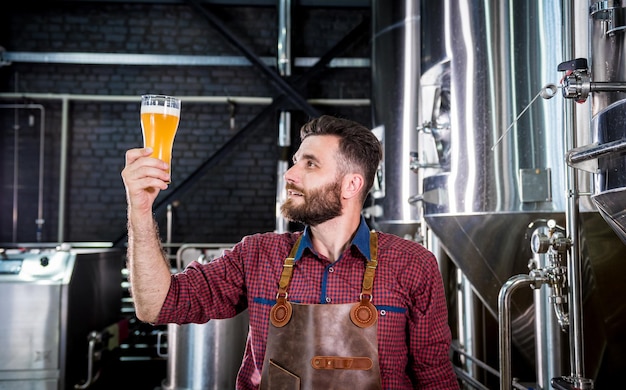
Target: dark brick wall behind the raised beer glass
(236, 195)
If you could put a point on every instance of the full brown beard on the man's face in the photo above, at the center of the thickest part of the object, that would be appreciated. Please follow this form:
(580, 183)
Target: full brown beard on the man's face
(320, 205)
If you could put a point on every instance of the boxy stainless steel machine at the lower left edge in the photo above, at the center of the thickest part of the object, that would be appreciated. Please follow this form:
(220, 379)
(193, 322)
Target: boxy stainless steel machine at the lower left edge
(52, 299)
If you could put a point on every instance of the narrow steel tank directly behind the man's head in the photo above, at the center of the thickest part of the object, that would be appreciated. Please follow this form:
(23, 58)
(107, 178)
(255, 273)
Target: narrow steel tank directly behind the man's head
(395, 82)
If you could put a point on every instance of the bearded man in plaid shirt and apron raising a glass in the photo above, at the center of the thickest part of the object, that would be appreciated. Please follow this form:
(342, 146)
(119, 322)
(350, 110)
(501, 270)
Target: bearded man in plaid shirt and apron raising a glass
(334, 306)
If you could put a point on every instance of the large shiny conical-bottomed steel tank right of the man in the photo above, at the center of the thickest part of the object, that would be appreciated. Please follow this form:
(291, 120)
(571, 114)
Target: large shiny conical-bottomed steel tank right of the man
(504, 173)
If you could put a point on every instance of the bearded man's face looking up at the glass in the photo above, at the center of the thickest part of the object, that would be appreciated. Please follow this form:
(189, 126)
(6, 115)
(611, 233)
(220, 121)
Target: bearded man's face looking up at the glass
(313, 186)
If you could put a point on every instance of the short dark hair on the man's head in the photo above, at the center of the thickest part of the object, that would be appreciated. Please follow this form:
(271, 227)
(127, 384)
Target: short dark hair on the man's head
(358, 146)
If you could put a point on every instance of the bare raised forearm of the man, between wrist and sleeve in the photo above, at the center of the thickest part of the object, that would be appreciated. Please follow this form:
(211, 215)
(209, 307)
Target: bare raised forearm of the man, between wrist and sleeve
(149, 269)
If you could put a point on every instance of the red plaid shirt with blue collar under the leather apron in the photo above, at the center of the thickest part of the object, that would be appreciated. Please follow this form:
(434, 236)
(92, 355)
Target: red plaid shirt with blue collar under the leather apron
(413, 333)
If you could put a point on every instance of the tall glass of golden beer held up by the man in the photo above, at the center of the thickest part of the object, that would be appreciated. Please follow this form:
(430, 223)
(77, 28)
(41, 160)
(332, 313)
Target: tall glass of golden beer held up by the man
(160, 115)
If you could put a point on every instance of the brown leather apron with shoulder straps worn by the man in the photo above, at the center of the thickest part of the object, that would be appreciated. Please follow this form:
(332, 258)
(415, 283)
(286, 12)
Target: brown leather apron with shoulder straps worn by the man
(323, 346)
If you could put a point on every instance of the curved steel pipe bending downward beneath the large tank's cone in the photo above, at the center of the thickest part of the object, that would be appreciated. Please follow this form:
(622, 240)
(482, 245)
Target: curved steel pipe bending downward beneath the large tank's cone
(504, 321)
